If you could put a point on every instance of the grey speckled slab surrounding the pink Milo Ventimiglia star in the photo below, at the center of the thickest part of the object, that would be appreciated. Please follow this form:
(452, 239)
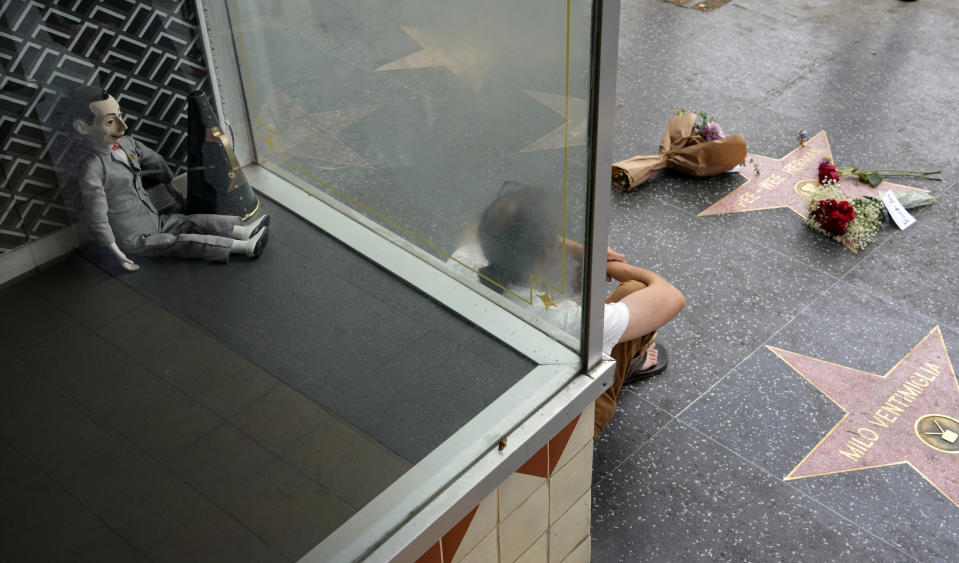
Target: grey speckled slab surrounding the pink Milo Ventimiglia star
(786, 416)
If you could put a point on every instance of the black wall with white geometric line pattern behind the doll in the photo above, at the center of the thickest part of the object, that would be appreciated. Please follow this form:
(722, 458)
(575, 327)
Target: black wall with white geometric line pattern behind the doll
(148, 54)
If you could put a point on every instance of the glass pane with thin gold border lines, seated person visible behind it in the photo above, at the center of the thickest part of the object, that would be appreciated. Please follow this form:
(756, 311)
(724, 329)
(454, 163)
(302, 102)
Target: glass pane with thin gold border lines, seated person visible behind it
(421, 116)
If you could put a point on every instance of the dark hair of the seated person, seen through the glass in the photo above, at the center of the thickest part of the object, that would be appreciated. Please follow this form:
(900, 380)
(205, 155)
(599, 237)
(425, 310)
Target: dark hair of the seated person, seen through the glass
(515, 232)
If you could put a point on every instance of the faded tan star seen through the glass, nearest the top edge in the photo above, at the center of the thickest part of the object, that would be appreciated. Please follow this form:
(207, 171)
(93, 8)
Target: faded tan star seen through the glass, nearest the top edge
(463, 56)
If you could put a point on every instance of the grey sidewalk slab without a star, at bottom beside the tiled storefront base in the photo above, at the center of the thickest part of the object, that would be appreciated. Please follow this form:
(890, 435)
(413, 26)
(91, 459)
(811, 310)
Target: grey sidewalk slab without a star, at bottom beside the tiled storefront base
(683, 497)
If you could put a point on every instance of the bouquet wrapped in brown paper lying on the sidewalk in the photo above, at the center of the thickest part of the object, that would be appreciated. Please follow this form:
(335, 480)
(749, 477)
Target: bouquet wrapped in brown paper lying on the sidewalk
(691, 148)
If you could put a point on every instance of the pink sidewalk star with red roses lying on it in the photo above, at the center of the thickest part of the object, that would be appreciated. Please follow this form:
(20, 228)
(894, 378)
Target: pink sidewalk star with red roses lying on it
(785, 182)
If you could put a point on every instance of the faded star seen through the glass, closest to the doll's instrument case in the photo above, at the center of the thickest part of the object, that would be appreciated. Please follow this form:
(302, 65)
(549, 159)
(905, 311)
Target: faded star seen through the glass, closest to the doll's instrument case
(294, 132)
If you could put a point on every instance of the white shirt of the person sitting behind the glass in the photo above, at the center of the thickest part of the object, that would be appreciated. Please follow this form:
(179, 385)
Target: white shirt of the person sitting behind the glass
(565, 313)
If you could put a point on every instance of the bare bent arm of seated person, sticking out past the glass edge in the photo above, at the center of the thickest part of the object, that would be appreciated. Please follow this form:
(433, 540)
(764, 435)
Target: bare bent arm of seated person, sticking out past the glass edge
(650, 308)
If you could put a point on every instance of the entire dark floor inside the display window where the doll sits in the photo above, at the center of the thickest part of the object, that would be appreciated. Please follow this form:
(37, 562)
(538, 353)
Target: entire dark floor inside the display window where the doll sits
(202, 412)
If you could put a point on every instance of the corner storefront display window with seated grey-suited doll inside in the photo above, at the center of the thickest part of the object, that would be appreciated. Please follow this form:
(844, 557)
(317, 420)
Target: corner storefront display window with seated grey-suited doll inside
(175, 409)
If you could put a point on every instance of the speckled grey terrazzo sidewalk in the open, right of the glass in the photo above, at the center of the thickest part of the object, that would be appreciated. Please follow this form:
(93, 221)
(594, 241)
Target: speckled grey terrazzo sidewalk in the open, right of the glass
(694, 464)
